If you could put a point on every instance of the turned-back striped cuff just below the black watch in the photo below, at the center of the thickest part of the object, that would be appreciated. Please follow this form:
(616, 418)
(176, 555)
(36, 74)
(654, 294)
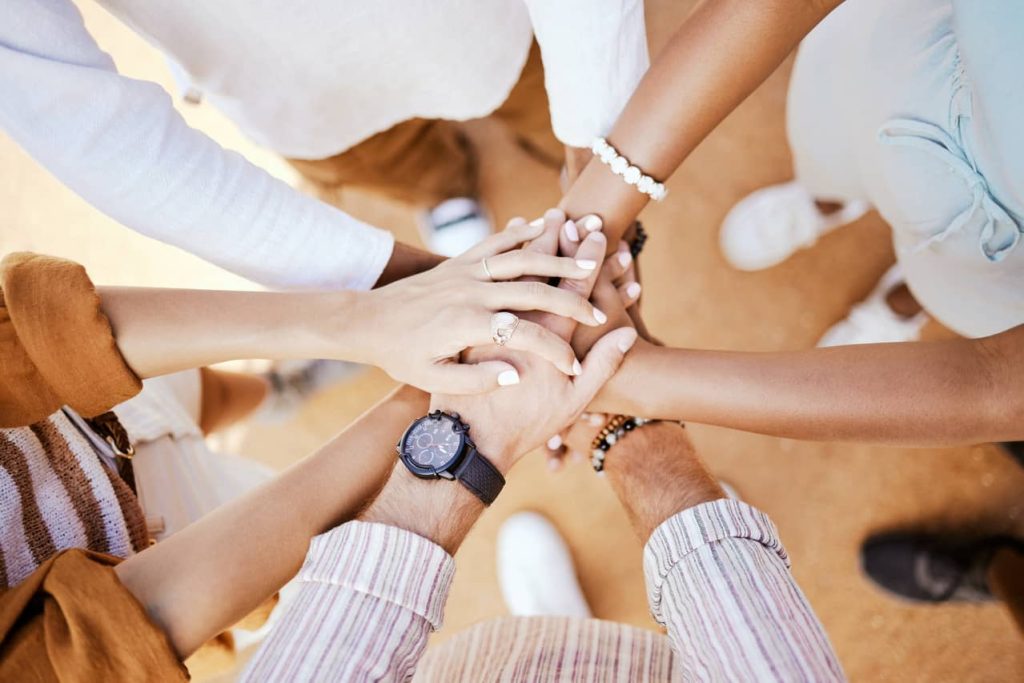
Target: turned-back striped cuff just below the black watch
(387, 563)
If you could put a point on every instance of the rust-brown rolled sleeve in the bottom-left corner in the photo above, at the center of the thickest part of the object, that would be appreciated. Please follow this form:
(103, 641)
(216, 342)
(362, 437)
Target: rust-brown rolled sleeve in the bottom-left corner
(74, 621)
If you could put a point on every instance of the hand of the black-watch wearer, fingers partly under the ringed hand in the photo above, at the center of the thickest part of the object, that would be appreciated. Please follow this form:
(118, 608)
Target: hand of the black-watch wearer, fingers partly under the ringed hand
(507, 424)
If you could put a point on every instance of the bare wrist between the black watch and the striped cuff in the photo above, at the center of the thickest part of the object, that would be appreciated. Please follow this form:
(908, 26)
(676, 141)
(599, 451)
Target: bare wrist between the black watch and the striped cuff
(439, 510)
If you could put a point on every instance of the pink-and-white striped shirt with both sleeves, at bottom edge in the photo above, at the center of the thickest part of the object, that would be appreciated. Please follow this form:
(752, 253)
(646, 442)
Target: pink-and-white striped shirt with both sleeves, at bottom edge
(717, 576)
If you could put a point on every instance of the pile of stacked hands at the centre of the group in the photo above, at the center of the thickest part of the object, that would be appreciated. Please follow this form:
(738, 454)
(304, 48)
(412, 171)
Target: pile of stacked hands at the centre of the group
(574, 304)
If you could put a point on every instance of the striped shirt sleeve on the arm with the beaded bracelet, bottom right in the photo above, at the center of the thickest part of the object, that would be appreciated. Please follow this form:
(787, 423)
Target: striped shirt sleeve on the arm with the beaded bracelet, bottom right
(719, 580)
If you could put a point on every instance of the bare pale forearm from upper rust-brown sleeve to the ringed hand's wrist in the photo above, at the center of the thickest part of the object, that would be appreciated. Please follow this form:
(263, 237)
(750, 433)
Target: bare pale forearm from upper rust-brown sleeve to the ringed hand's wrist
(162, 331)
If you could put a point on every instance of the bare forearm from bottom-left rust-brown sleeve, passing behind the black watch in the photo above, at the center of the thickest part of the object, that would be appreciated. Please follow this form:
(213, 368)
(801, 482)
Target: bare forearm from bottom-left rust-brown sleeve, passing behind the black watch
(246, 550)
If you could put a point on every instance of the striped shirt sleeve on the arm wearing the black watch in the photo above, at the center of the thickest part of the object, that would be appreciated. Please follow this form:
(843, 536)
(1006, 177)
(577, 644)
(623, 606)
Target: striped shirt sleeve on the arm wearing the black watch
(369, 596)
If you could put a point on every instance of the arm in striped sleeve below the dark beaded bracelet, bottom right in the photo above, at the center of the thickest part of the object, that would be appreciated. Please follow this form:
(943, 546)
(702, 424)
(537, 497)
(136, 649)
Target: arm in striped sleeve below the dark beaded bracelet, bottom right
(715, 567)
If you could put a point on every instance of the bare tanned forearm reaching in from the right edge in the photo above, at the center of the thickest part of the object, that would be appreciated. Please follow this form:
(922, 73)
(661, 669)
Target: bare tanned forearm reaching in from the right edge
(928, 394)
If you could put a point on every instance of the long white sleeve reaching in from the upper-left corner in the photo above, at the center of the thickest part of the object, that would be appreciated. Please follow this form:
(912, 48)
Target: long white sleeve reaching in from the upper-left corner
(120, 144)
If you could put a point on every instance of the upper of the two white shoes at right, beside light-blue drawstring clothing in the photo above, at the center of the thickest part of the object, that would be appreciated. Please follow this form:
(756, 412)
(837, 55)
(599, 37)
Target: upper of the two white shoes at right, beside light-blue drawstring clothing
(770, 226)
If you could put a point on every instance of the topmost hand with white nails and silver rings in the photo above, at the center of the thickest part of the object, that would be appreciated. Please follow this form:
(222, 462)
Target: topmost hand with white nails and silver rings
(416, 328)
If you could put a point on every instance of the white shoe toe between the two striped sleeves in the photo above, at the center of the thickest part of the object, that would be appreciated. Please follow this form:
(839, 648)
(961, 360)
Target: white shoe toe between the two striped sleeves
(536, 571)
